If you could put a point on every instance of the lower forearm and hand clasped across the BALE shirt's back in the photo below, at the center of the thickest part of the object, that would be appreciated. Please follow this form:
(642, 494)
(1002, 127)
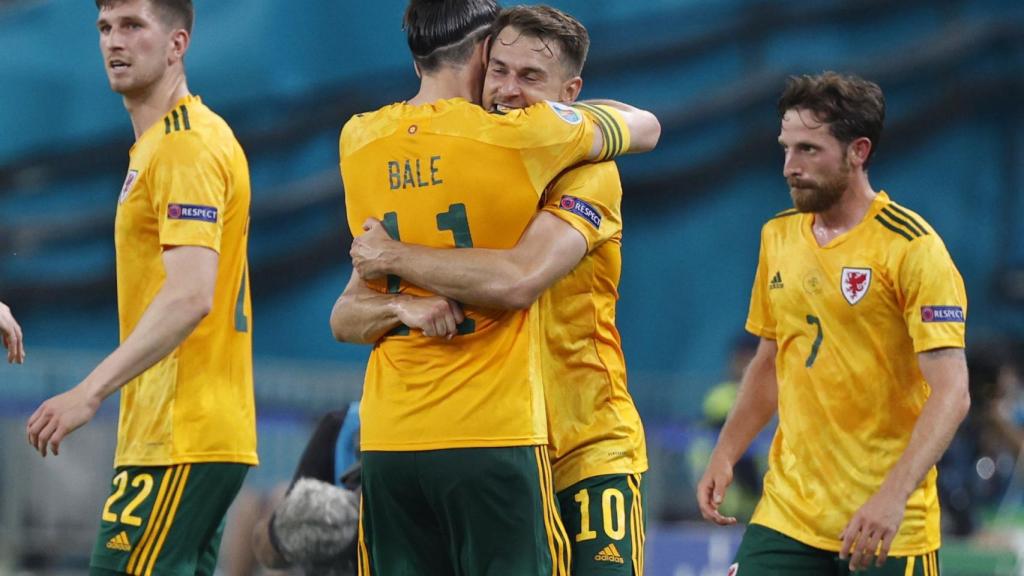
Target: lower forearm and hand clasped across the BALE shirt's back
(364, 316)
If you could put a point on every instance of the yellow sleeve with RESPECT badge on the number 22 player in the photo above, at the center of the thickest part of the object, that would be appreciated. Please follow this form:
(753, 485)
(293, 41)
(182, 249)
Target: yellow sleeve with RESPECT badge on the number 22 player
(190, 195)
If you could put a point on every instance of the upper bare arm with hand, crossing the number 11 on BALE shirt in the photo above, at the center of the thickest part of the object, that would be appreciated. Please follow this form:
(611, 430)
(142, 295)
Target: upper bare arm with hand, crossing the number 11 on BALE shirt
(515, 278)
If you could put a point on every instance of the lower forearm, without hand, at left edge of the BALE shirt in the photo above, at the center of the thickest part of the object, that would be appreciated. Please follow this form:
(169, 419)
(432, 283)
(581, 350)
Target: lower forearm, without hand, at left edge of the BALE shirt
(366, 316)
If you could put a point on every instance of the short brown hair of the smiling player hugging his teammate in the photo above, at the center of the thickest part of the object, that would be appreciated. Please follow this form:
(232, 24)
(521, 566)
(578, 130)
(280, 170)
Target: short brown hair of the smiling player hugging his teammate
(549, 25)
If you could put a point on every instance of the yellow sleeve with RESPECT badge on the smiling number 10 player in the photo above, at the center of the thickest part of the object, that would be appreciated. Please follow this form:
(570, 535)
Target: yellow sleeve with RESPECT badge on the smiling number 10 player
(589, 199)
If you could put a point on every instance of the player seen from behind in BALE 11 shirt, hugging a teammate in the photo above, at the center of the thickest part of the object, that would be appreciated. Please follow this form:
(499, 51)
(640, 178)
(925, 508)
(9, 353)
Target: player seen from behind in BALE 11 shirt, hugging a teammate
(456, 473)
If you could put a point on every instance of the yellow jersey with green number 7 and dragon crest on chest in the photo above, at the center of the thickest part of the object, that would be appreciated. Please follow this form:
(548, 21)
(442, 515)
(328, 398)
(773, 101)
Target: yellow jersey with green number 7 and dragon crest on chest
(849, 319)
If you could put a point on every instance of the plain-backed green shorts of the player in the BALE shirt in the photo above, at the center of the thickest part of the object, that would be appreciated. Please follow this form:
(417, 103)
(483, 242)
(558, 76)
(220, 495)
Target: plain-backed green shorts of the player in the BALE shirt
(481, 512)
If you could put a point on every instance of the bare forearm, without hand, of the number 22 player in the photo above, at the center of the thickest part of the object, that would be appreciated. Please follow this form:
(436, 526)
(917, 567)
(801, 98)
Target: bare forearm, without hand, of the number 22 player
(167, 322)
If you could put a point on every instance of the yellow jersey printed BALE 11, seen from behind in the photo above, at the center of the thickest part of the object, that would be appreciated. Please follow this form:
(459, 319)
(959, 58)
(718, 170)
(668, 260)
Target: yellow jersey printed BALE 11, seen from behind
(449, 175)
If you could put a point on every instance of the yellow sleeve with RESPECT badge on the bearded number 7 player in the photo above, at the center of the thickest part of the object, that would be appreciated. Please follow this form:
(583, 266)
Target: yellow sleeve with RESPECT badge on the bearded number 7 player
(934, 297)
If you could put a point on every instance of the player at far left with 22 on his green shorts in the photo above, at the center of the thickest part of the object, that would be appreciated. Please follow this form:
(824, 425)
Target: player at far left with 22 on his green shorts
(187, 434)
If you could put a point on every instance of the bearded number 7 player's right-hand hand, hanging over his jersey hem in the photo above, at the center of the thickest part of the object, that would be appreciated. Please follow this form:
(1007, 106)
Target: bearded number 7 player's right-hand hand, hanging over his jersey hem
(872, 530)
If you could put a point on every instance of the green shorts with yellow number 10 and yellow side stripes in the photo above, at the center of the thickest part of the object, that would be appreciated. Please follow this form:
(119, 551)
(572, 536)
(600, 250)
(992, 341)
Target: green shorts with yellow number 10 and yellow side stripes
(607, 522)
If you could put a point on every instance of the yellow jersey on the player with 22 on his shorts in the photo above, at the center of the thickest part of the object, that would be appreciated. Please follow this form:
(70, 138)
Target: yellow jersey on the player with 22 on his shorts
(188, 185)
